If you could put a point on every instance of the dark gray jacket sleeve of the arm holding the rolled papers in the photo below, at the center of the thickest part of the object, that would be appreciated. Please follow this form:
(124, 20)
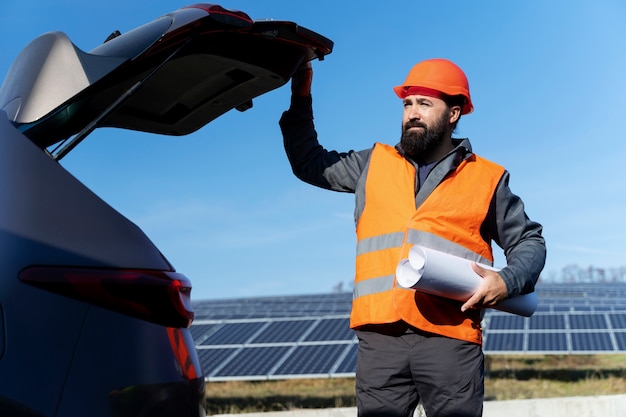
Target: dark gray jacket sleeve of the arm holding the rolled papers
(520, 238)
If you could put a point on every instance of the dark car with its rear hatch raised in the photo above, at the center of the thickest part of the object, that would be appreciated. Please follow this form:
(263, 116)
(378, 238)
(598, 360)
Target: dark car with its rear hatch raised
(94, 320)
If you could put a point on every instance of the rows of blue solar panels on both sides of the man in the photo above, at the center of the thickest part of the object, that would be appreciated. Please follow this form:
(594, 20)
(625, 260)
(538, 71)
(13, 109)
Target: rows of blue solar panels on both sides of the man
(309, 335)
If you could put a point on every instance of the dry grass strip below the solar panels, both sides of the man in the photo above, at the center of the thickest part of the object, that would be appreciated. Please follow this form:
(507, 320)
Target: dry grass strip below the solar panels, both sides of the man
(506, 378)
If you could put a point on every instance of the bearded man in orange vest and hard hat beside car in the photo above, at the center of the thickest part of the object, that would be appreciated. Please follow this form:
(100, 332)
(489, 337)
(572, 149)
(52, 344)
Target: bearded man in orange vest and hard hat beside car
(430, 190)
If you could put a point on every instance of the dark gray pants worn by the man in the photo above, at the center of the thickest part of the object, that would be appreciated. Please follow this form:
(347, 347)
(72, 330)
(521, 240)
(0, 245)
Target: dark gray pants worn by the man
(397, 367)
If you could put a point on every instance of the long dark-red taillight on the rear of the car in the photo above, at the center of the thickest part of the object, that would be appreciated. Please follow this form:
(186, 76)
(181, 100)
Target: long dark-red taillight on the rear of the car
(161, 297)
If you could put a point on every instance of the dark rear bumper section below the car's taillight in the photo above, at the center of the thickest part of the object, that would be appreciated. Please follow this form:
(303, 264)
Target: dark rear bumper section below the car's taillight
(138, 373)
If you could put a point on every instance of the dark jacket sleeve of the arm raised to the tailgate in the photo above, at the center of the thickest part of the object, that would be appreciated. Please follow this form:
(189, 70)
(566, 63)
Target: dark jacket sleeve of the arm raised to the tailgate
(310, 162)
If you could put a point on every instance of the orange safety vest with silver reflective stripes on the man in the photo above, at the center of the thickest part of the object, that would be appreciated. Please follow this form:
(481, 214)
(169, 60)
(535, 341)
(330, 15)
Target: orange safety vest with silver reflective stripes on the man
(449, 220)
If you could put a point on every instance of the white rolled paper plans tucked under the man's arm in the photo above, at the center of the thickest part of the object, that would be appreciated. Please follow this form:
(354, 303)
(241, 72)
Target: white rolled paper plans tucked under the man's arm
(438, 273)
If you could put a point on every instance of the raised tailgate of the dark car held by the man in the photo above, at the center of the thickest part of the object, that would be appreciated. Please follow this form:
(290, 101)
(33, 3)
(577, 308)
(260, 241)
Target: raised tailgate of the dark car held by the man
(171, 76)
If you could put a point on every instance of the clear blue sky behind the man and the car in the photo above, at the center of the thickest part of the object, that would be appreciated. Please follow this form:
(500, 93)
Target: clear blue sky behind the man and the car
(548, 82)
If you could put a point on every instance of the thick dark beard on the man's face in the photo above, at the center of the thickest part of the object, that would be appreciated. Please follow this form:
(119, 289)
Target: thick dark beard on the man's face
(418, 145)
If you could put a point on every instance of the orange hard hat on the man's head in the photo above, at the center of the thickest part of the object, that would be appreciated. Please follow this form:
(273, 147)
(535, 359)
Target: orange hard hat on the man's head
(437, 76)
